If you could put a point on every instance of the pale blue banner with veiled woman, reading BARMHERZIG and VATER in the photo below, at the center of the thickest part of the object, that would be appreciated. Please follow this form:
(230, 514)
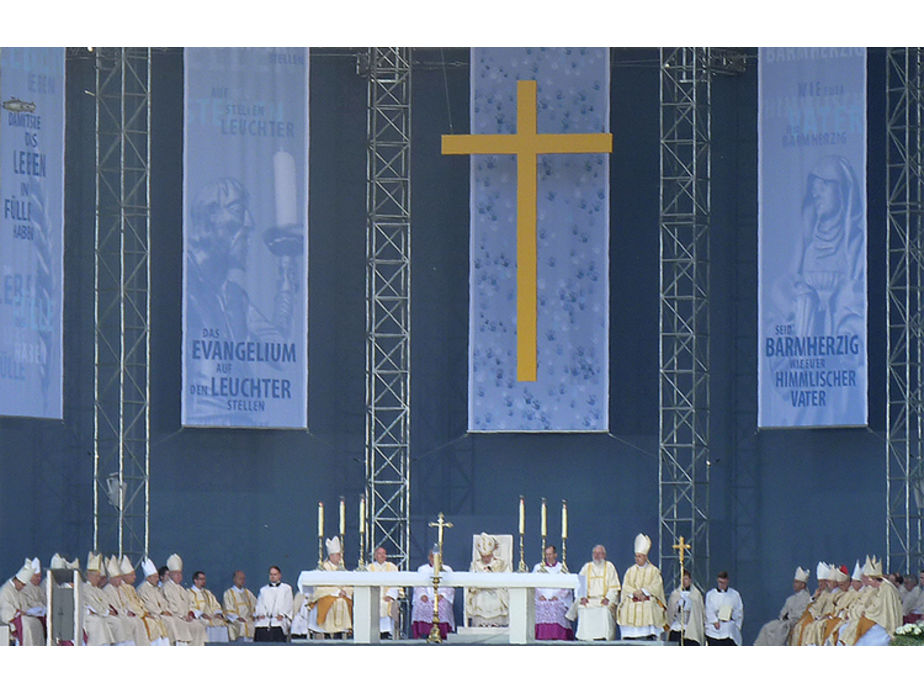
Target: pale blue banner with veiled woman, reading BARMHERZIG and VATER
(812, 302)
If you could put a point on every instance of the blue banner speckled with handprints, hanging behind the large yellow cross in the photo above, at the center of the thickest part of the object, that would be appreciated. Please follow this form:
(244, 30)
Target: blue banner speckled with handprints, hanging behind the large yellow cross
(571, 392)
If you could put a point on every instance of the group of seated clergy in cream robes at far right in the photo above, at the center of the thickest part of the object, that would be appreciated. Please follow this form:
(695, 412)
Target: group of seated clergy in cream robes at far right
(858, 608)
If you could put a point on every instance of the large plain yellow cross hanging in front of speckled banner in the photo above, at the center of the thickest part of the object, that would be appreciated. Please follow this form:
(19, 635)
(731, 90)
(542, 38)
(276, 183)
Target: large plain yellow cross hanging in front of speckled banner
(526, 144)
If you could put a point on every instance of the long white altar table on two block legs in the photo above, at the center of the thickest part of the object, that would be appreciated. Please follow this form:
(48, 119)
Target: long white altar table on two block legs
(367, 588)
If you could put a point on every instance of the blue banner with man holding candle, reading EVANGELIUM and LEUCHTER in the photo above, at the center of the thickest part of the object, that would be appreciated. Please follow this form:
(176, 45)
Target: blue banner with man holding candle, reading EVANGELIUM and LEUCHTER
(245, 246)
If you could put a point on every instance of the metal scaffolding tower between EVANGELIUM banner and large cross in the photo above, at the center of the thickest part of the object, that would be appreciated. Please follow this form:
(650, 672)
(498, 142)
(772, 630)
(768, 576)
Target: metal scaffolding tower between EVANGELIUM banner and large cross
(388, 300)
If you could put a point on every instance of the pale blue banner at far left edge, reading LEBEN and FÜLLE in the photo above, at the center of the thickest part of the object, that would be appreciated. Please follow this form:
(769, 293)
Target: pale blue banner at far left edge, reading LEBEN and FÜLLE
(31, 231)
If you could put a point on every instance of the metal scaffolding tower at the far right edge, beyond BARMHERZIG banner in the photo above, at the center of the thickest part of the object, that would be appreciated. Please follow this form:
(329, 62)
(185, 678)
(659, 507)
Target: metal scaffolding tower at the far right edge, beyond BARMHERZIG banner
(904, 328)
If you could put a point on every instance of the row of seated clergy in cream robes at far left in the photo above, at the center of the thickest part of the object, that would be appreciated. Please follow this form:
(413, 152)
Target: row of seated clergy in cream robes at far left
(112, 612)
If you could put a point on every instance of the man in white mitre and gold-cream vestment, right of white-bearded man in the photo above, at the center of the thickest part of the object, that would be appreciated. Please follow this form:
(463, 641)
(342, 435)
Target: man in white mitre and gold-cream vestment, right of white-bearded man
(640, 614)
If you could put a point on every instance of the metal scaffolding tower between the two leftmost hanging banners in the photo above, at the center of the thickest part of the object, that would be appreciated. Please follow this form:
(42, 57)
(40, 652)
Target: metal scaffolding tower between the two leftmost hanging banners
(122, 356)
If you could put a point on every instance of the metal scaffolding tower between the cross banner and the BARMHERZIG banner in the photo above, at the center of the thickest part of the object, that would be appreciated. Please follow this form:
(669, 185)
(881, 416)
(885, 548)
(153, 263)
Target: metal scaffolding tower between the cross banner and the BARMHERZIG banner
(683, 459)
